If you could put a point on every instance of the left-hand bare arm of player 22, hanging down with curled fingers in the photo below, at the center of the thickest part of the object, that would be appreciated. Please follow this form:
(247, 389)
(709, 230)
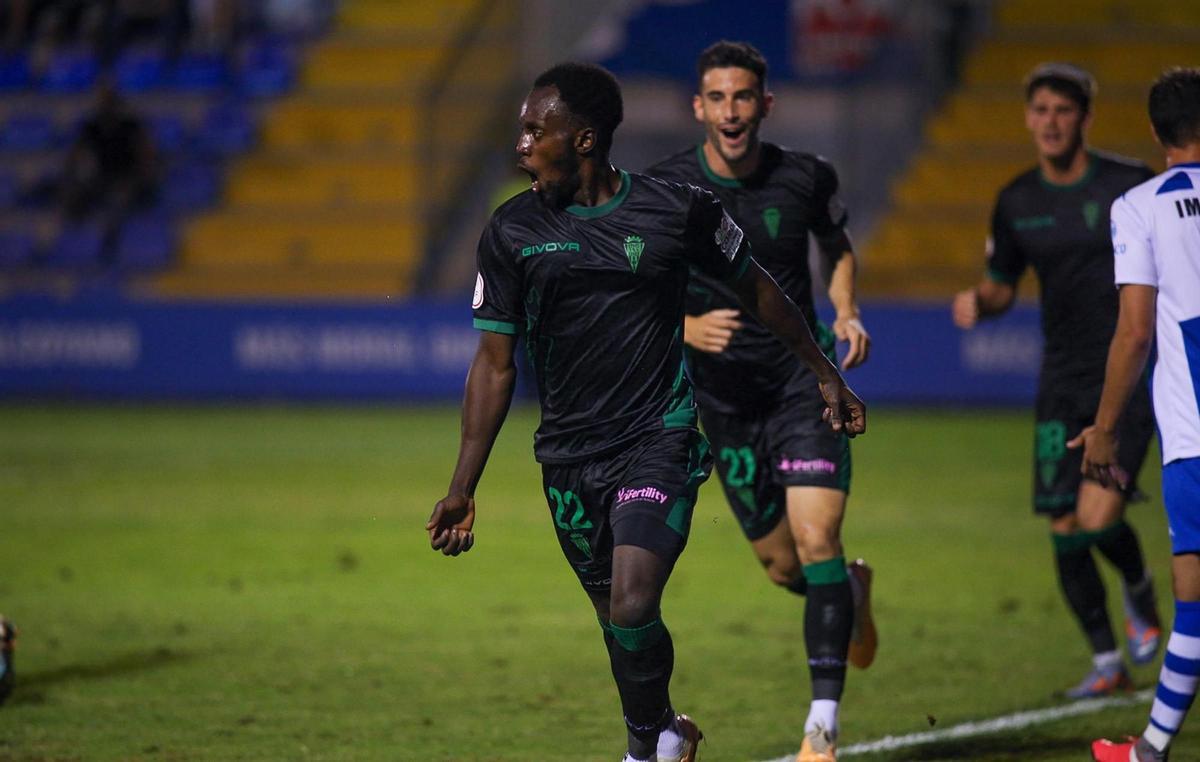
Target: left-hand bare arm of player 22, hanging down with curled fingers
(485, 404)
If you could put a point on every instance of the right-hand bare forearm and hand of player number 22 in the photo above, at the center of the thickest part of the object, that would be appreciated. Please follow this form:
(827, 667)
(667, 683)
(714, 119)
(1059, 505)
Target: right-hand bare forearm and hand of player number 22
(763, 297)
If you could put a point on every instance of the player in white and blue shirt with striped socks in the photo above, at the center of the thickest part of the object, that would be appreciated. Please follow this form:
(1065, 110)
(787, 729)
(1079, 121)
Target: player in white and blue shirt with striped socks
(1156, 242)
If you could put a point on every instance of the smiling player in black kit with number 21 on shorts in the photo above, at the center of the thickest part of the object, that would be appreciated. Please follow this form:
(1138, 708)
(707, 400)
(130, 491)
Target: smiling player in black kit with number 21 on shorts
(785, 476)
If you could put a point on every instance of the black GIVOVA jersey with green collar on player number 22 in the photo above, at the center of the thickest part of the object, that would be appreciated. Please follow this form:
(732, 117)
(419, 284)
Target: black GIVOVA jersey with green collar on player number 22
(598, 293)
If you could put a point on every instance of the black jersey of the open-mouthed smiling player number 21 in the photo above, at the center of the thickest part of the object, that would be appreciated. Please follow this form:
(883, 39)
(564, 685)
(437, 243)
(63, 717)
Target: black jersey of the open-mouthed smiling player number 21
(790, 196)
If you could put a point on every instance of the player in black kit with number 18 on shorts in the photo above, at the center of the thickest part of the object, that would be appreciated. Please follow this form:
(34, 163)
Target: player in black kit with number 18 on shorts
(1055, 219)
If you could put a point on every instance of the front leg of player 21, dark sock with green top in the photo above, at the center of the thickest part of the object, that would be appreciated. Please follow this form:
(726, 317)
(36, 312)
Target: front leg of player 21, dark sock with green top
(815, 515)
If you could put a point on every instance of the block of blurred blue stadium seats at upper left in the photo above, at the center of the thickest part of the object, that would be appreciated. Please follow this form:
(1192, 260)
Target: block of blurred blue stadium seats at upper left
(201, 105)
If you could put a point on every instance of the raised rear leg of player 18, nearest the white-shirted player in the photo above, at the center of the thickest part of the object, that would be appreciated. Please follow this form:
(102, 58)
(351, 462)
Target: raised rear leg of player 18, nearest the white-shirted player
(1101, 515)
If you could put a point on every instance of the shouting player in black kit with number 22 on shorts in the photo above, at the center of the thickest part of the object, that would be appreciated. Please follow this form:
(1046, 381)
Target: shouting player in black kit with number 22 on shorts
(591, 266)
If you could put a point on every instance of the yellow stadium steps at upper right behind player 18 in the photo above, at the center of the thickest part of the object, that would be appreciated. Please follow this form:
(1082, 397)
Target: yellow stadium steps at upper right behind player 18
(931, 243)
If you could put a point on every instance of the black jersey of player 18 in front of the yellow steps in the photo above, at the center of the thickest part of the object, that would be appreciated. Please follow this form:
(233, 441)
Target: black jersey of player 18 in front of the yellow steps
(1063, 232)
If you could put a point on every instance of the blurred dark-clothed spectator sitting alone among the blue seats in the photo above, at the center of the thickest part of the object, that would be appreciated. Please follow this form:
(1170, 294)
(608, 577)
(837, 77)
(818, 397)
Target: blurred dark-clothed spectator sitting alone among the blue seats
(111, 169)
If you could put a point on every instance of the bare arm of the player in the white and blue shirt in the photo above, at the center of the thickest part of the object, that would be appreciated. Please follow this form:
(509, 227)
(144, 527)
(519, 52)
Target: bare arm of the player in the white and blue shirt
(1129, 355)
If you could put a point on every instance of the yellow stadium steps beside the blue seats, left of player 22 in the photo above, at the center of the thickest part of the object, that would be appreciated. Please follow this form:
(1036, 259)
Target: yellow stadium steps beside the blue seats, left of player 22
(338, 201)
